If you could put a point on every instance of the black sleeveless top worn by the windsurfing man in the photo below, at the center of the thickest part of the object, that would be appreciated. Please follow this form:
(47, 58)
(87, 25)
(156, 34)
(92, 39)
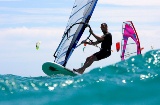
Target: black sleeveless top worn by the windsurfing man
(107, 42)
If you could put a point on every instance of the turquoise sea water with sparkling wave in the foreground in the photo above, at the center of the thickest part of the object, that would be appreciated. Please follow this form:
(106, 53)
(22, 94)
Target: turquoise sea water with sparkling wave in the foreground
(135, 81)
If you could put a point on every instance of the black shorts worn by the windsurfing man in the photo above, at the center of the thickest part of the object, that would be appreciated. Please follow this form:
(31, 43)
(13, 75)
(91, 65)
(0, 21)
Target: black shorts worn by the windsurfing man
(102, 54)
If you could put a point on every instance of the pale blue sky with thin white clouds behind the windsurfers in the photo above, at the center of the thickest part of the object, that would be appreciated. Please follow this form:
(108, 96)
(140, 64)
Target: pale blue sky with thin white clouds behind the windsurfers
(25, 22)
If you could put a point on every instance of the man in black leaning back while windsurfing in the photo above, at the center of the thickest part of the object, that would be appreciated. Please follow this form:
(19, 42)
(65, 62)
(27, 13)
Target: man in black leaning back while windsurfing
(105, 50)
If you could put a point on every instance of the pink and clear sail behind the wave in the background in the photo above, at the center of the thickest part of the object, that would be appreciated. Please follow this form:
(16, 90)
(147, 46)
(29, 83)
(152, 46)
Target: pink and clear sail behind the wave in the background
(130, 44)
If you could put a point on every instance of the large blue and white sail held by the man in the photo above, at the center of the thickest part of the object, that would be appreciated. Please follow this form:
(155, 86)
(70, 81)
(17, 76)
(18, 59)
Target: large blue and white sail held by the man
(80, 15)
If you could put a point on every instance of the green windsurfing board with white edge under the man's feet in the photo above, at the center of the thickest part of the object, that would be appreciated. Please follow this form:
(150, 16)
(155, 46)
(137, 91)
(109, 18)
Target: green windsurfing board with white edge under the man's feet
(52, 68)
